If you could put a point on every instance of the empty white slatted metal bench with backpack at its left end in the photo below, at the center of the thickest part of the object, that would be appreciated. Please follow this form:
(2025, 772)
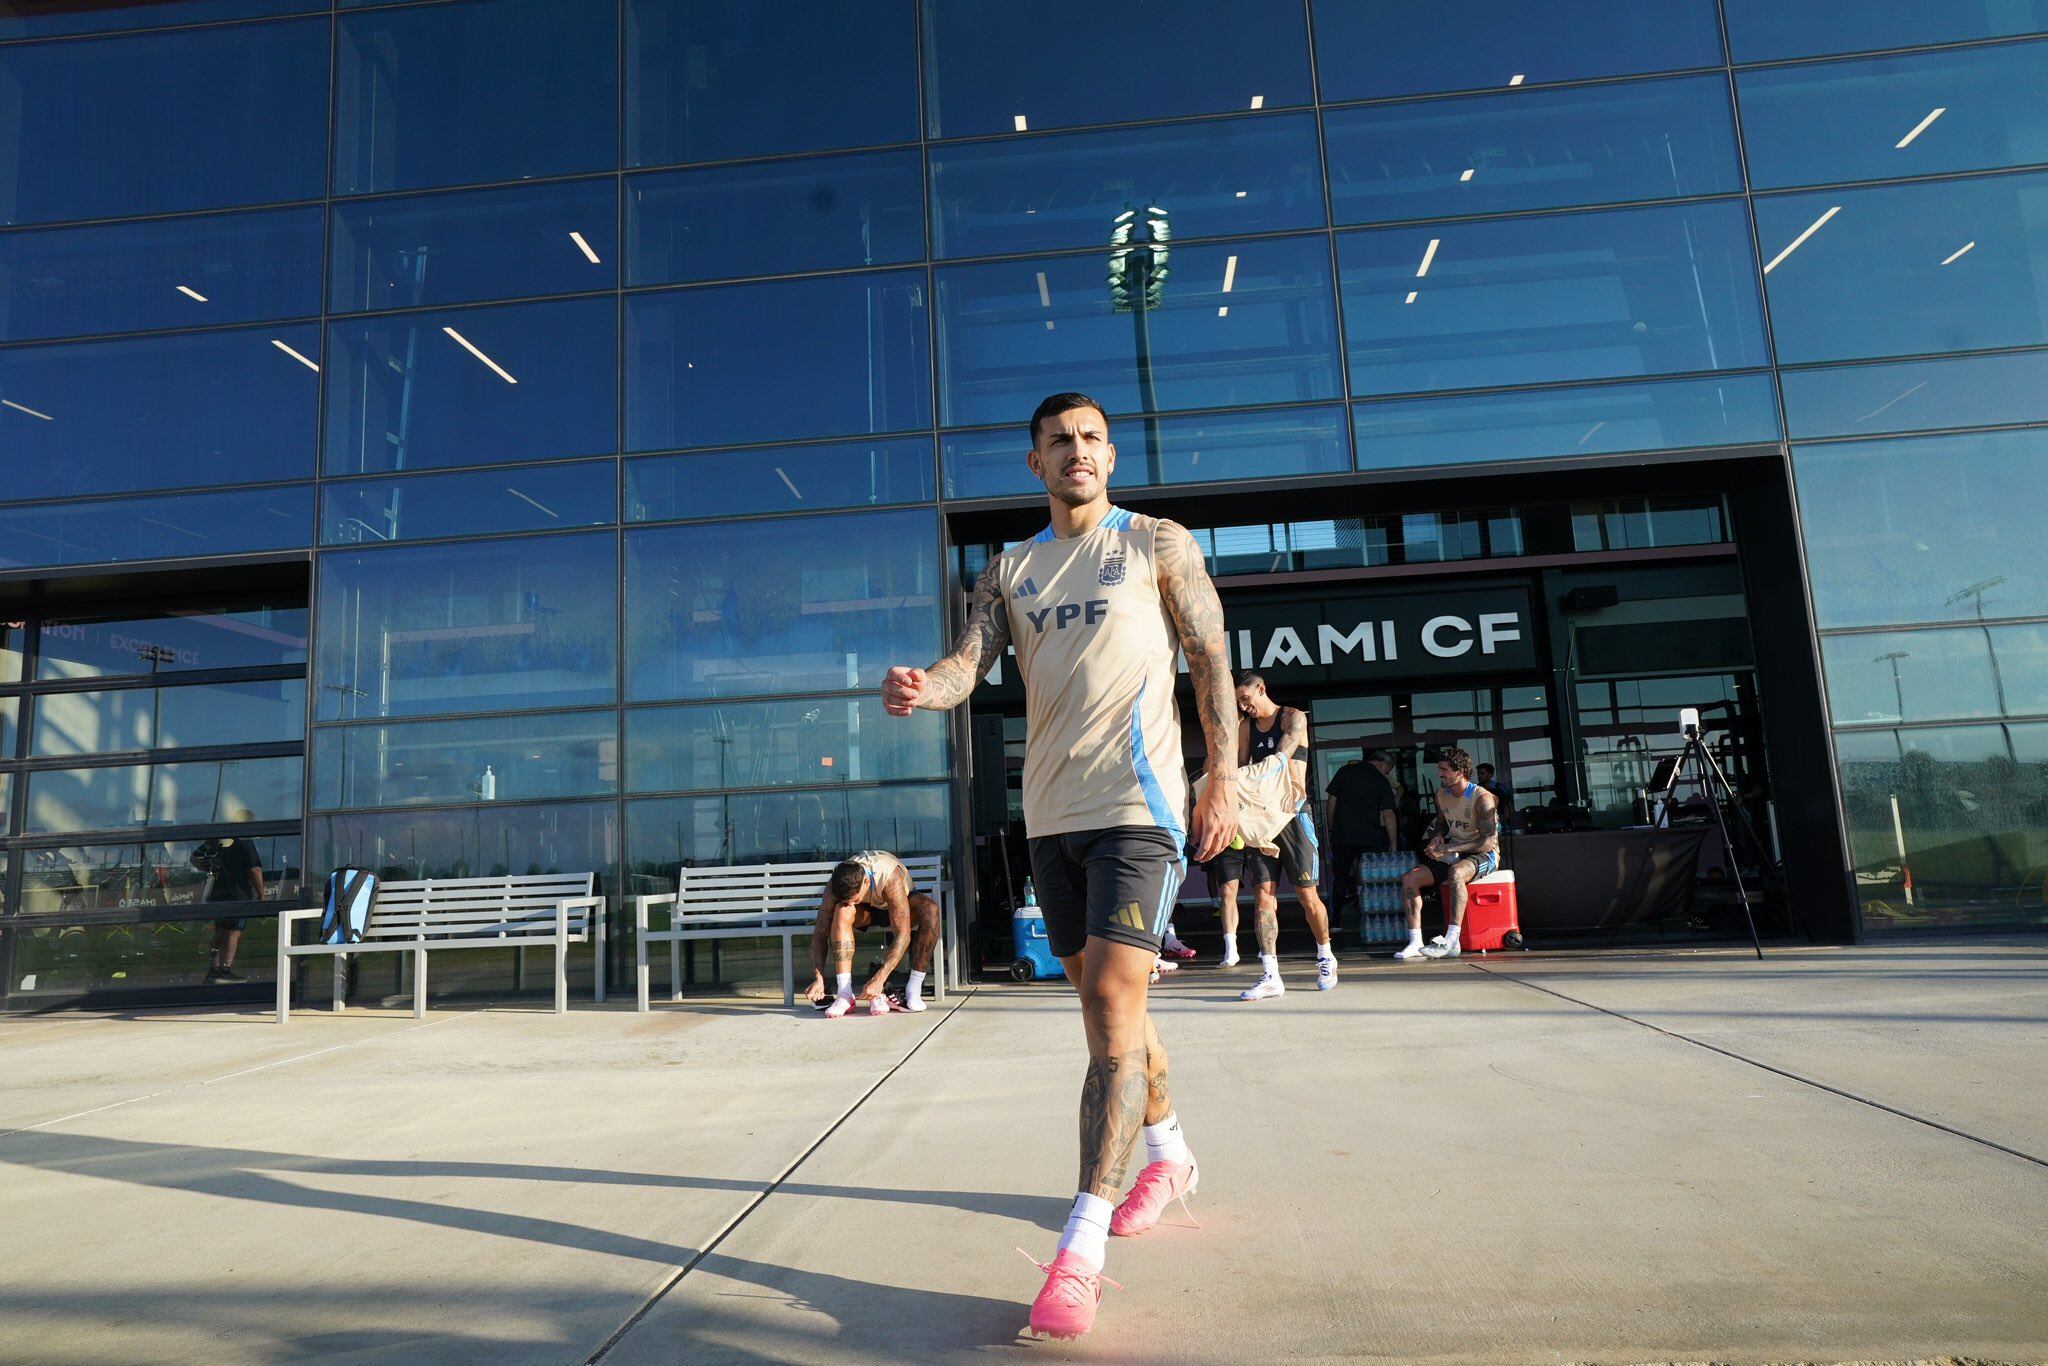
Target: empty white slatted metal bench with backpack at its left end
(470, 912)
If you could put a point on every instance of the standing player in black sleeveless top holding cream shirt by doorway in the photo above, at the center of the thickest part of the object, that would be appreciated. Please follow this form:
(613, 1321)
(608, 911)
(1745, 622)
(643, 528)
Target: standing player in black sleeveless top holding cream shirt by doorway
(1269, 730)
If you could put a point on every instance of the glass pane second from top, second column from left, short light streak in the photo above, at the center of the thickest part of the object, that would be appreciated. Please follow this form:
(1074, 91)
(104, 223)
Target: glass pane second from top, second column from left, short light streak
(476, 245)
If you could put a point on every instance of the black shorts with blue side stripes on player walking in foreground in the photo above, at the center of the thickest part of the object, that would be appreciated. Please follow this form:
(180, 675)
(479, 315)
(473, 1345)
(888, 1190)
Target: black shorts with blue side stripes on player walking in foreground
(1107, 884)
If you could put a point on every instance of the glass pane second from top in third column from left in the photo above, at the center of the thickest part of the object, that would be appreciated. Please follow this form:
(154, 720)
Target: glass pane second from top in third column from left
(781, 218)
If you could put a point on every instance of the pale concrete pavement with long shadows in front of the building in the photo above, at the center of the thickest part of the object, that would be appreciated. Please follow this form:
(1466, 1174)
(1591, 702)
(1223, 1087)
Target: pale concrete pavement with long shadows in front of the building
(1617, 1158)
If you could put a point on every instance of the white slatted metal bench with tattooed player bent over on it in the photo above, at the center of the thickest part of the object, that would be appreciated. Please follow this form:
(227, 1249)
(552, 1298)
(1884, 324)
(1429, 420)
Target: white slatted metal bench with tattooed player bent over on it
(759, 902)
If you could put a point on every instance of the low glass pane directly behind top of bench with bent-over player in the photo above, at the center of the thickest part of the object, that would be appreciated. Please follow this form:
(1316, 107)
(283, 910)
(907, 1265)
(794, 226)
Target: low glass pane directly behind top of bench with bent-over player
(781, 826)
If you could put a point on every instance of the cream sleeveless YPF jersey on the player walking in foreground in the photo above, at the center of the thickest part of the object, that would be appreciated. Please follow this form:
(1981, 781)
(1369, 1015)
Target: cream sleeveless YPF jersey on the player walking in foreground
(1097, 652)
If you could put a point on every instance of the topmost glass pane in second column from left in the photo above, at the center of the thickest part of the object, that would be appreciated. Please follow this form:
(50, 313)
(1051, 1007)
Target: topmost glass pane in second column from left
(476, 91)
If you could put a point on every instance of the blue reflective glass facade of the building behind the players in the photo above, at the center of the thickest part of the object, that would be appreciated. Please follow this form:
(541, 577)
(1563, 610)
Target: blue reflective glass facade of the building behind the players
(617, 366)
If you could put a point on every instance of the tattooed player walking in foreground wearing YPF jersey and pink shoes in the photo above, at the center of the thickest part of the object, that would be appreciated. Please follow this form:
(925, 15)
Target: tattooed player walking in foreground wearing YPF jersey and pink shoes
(1097, 607)
